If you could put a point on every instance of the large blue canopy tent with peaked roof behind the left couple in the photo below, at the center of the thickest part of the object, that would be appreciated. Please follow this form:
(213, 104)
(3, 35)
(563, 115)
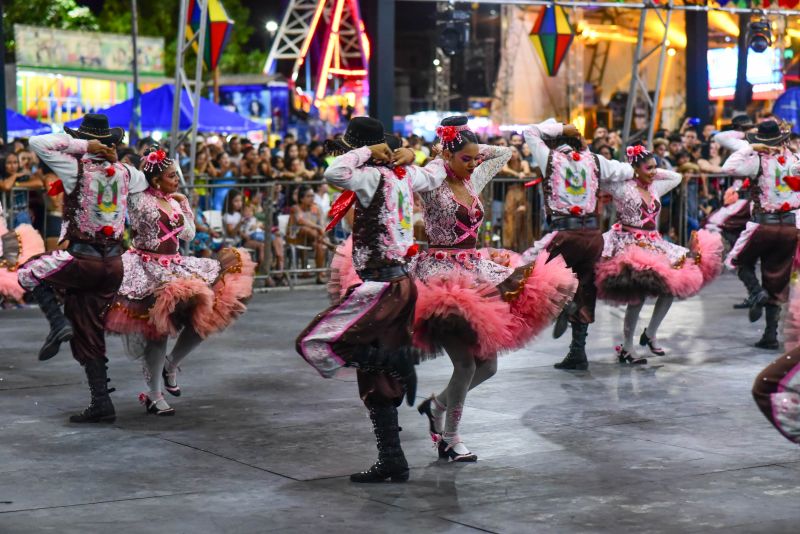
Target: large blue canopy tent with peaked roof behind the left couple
(156, 114)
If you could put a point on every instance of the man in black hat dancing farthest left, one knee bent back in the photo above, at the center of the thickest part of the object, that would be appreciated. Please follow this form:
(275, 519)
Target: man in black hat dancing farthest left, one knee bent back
(90, 270)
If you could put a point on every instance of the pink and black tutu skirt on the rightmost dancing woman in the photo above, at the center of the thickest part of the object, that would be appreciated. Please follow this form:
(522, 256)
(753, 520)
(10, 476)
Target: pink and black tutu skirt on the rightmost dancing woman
(640, 264)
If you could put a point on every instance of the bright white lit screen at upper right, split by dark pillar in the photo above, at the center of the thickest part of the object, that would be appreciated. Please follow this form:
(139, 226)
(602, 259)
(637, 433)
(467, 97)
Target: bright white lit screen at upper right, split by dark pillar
(764, 71)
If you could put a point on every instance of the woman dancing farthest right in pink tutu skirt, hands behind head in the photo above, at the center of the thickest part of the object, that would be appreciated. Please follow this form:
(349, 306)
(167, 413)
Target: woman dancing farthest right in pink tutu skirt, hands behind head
(638, 263)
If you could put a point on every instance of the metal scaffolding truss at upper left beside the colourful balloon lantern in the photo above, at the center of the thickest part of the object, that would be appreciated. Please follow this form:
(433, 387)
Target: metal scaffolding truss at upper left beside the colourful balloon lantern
(182, 82)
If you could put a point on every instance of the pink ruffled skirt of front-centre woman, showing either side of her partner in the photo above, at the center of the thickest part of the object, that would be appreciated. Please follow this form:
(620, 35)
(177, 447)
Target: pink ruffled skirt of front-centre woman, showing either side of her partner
(485, 298)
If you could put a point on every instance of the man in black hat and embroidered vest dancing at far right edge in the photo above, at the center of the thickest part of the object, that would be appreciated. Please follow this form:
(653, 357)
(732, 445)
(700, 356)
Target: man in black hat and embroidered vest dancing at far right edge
(771, 235)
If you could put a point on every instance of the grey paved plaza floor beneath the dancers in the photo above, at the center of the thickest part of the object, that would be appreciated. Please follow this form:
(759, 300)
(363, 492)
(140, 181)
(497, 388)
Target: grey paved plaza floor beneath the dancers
(261, 443)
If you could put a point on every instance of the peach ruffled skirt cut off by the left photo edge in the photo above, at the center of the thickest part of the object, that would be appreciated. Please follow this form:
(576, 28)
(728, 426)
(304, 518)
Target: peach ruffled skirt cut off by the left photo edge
(16, 247)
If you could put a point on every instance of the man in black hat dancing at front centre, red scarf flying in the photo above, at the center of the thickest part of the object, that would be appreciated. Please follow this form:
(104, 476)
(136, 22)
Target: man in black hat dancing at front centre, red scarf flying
(370, 329)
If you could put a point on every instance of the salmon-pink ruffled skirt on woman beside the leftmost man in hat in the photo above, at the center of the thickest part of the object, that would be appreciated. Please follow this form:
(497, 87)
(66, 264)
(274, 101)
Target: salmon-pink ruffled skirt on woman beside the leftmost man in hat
(208, 294)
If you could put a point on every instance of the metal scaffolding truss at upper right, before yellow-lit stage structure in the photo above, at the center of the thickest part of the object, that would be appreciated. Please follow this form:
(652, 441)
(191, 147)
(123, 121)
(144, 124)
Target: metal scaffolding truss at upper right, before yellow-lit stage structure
(638, 86)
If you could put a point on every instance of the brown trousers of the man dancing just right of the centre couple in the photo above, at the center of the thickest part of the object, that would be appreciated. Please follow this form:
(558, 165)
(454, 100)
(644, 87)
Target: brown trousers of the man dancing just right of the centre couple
(581, 249)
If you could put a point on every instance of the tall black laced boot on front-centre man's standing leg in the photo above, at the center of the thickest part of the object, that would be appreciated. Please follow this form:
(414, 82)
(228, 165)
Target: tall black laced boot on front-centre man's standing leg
(391, 462)
